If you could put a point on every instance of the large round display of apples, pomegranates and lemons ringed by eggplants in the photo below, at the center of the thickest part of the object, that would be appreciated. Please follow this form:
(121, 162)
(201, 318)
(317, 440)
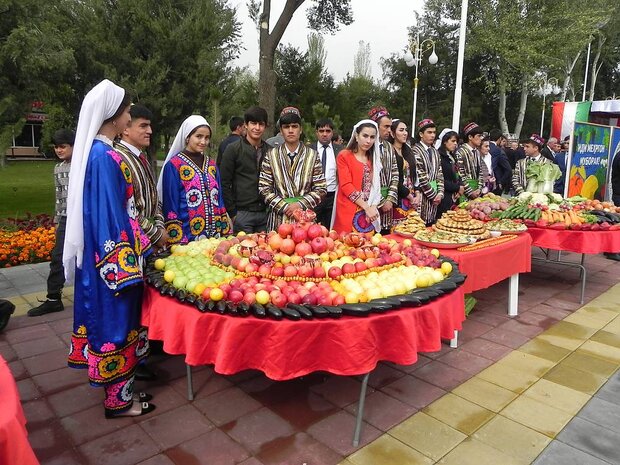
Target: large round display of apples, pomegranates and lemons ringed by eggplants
(302, 271)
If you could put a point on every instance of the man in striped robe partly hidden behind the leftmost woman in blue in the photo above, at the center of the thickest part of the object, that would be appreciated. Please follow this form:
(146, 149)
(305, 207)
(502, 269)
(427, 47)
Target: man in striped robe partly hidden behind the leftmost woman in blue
(134, 140)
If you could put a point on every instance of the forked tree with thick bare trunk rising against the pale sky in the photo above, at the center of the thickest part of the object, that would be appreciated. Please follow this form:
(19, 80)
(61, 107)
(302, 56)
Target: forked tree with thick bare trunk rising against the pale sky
(323, 16)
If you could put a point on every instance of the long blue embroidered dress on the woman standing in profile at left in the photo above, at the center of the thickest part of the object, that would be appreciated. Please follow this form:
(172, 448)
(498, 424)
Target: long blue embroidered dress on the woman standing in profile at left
(108, 338)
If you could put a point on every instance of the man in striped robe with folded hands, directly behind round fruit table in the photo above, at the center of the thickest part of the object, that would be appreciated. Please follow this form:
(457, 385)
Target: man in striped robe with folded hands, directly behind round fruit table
(291, 175)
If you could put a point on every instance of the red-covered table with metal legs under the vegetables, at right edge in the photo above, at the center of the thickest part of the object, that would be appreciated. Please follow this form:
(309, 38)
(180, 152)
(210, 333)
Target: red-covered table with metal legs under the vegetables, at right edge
(566, 240)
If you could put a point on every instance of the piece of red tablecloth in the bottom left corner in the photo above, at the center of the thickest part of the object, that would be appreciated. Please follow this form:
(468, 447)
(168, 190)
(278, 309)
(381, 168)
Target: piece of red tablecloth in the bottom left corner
(14, 445)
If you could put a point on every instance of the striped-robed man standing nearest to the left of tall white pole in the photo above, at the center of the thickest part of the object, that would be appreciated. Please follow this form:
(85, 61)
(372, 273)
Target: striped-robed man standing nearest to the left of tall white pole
(428, 168)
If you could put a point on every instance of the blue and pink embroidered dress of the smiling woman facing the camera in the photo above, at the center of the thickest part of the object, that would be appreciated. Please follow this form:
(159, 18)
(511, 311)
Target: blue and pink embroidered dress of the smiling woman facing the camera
(193, 205)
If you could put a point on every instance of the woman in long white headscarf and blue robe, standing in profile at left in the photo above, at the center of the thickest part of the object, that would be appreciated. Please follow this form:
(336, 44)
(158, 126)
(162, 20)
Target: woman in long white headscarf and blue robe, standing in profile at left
(104, 250)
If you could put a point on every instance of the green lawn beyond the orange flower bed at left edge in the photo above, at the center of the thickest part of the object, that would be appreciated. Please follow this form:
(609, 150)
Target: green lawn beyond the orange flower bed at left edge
(27, 186)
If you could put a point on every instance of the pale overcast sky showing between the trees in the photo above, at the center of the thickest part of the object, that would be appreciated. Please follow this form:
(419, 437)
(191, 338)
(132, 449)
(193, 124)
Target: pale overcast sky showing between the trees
(382, 24)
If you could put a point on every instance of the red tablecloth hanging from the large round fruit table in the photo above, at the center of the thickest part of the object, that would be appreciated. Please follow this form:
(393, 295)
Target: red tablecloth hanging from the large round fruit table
(289, 349)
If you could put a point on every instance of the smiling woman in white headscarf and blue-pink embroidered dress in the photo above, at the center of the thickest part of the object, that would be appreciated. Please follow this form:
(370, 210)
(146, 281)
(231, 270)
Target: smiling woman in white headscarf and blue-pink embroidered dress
(189, 186)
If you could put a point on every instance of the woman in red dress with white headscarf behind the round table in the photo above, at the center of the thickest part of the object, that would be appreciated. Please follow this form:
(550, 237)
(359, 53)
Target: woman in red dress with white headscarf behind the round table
(359, 183)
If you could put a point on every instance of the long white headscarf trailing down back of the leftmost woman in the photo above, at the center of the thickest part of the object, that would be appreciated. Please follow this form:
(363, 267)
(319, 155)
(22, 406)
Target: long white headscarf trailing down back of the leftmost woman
(99, 104)
